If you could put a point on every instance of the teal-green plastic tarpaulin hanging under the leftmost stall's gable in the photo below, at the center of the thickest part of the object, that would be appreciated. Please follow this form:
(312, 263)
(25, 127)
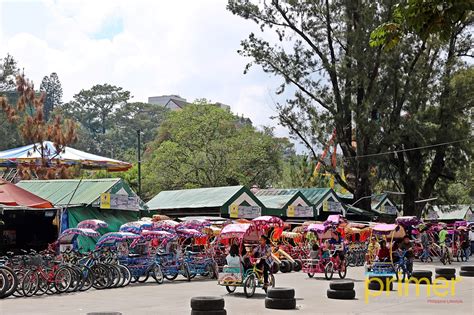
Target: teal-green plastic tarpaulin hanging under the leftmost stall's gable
(114, 218)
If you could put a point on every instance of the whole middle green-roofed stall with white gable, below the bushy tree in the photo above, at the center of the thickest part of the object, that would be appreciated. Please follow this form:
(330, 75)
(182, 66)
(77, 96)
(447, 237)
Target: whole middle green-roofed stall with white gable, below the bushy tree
(228, 202)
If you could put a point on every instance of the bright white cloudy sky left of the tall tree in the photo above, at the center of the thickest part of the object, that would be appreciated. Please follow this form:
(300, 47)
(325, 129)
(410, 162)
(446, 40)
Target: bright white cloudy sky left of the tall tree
(180, 47)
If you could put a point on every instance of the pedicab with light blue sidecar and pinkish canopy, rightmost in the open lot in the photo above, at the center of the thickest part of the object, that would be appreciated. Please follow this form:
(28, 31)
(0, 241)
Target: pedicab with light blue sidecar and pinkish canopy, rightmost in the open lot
(390, 267)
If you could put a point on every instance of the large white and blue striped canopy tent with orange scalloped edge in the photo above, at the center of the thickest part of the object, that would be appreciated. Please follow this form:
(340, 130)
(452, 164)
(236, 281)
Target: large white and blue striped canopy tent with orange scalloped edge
(31, 154)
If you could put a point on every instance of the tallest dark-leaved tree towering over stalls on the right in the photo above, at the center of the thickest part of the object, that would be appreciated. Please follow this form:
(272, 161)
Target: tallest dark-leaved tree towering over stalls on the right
(377, 100)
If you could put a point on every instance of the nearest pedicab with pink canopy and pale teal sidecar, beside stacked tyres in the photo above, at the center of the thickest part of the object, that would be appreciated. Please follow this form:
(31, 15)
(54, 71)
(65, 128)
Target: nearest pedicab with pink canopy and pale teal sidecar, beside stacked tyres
(230, 277)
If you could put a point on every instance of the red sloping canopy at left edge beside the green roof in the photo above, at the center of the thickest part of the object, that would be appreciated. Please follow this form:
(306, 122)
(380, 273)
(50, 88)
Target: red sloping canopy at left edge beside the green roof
(14, 196)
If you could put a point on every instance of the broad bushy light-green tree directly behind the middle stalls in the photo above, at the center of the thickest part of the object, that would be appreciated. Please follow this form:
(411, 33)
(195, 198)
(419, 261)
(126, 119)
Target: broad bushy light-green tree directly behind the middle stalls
(203, 146)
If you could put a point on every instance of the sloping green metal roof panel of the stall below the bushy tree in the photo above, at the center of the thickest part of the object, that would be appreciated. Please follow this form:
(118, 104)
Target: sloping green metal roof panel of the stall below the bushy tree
(214, 197)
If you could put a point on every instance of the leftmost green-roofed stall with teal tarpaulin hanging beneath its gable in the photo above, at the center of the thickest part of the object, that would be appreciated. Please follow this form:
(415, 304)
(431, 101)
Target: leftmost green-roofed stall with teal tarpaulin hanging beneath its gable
(108, 199)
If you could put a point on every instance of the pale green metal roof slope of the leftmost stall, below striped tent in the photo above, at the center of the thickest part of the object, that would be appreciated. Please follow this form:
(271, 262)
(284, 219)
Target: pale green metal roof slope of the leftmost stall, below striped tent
(59, 191)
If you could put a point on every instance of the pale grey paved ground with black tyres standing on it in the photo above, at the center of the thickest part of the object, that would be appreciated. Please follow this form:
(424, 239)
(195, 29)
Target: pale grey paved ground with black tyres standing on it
(174, 298)
